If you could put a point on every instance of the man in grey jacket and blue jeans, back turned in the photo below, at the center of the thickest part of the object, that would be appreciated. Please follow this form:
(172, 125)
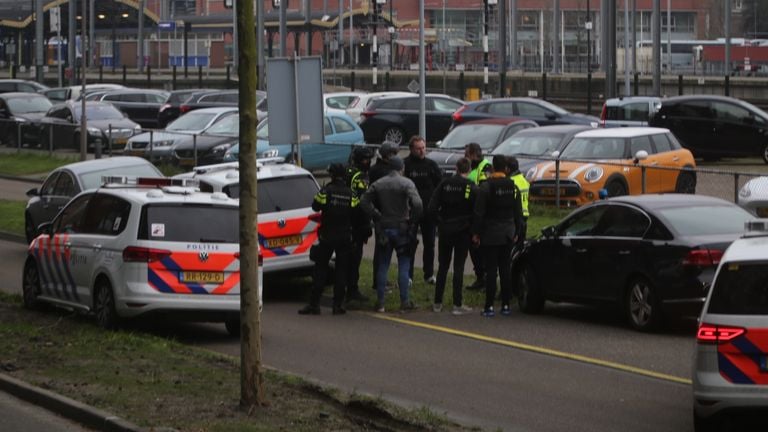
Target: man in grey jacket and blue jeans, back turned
(394, 205)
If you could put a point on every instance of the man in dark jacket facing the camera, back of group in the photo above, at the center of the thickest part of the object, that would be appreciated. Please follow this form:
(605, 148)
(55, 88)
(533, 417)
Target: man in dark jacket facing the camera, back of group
(426, 175)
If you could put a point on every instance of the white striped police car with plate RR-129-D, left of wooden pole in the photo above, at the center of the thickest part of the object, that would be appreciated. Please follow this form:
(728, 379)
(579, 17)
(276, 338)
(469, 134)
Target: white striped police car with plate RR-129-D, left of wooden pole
(140, 246)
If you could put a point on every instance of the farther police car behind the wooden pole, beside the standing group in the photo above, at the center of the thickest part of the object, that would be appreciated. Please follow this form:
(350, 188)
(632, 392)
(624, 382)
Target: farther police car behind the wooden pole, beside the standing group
(287, 224)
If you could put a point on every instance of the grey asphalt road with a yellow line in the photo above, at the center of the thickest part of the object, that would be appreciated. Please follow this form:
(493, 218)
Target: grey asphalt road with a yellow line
(571, 369)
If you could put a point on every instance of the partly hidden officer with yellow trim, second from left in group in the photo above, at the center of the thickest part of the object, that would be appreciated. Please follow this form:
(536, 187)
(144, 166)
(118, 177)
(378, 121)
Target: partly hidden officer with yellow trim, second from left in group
(357, 179)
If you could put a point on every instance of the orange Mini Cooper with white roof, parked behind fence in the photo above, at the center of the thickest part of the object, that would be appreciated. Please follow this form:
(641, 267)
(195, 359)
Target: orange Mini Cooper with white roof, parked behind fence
(612, 159)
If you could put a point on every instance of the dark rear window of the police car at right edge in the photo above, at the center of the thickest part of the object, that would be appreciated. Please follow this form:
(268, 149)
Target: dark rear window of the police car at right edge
(740, 289)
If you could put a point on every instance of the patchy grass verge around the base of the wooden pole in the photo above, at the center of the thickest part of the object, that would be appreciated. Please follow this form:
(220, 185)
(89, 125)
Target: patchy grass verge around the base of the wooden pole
(156, 382)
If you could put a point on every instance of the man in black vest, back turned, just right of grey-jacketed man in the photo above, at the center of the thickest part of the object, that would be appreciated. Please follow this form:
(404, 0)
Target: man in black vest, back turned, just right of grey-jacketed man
(452, 204)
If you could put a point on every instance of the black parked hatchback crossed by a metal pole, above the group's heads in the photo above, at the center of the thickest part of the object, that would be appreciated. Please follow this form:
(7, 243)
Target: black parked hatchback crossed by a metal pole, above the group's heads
(396, 119)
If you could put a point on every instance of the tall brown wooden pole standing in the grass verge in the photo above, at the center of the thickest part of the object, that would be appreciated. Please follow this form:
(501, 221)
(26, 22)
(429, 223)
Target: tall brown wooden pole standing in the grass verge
(252, 393)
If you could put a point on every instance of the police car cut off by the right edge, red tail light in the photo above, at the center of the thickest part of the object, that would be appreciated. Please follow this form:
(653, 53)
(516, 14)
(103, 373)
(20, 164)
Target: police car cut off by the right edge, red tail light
(730, 367)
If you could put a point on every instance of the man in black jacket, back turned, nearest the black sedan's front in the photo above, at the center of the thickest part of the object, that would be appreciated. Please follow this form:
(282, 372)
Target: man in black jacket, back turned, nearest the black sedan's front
(497, 216)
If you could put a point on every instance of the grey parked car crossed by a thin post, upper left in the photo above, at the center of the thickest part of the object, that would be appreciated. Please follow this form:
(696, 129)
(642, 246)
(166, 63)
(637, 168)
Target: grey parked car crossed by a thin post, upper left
(62, 125)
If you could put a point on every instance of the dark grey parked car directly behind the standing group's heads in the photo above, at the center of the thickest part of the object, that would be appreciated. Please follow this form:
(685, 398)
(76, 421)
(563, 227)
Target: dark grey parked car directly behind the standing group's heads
(488, 133)
